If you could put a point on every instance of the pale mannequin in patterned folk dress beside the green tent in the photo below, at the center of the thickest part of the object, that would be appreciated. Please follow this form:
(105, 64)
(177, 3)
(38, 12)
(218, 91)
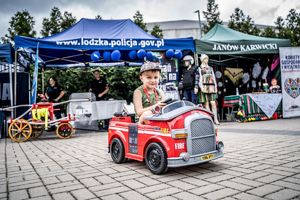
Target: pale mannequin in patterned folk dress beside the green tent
(208, 87)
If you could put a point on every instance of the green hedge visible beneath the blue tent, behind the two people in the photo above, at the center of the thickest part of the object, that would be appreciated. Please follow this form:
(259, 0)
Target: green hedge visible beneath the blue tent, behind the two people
(122, 81)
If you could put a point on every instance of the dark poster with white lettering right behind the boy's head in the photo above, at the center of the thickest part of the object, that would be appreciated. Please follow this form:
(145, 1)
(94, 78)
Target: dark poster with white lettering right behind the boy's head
(169, 77)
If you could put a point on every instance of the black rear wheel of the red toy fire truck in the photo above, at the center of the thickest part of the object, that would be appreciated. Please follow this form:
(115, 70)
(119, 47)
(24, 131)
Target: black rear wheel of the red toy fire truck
(117, 151)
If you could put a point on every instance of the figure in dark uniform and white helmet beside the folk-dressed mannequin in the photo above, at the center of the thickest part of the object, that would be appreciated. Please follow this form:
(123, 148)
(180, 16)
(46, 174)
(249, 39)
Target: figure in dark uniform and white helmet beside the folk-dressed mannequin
(188, 79)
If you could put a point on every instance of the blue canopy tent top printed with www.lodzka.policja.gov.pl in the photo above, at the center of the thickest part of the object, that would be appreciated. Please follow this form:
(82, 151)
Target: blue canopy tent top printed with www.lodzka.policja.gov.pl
(74, 46)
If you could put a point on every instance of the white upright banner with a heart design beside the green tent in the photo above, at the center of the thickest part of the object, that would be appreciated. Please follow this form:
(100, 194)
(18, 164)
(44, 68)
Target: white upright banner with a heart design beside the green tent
(290, 80)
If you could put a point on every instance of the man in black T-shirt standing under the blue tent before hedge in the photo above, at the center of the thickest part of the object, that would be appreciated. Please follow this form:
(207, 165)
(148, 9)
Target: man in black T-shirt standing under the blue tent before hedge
(99, 86)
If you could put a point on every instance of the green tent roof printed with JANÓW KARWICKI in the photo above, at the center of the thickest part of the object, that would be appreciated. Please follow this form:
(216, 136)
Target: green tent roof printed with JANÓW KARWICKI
(223, 40)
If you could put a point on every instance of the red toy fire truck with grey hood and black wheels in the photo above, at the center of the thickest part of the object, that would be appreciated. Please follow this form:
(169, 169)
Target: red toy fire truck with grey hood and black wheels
(180, 135)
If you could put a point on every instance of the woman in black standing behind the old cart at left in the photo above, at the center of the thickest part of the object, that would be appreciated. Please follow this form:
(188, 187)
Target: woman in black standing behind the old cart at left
(54, 93)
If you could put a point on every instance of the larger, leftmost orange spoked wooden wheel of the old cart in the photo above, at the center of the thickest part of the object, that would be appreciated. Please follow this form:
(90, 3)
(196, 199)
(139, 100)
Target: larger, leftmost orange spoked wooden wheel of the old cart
(19, 130)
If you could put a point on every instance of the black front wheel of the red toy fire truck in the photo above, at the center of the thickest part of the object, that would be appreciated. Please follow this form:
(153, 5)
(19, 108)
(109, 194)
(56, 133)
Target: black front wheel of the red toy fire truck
(156, 158)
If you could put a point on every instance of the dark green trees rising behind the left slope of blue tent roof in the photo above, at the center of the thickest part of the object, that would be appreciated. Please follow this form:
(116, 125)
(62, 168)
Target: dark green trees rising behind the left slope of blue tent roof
(57, 22)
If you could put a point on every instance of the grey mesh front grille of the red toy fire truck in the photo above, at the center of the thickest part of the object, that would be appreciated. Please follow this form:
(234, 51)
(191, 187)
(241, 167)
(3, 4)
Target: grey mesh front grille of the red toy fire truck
(201, 138)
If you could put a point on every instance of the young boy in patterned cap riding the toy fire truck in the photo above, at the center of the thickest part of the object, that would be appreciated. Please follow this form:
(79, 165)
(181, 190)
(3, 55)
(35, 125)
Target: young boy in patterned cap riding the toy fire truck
(147, 98)
